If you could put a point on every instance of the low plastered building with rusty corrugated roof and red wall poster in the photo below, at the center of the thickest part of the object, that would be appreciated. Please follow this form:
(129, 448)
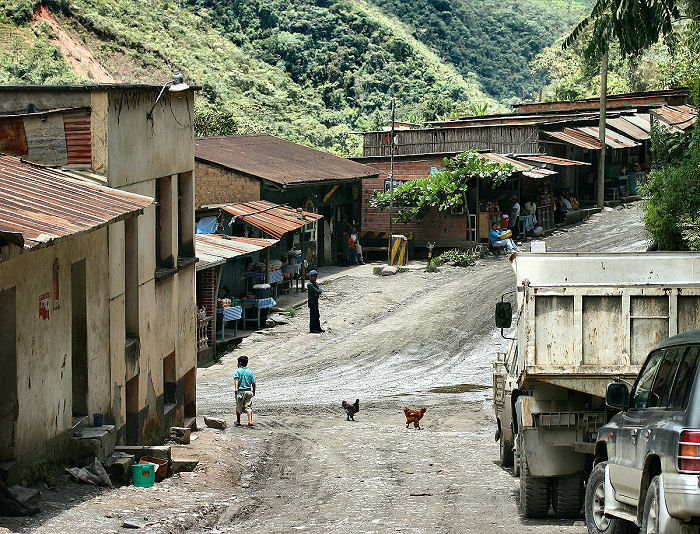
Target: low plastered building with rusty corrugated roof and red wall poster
(56, 277)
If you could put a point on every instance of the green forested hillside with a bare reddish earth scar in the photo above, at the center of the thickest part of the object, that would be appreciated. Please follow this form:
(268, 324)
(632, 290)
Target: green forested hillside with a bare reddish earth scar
(309, 70)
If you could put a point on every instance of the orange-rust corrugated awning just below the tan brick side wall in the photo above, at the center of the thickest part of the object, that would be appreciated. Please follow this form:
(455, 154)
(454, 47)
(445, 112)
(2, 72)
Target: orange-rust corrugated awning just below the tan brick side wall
(271, 218)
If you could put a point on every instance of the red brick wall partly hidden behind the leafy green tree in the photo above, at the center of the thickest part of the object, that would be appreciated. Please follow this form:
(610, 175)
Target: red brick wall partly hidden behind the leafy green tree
(435, 225)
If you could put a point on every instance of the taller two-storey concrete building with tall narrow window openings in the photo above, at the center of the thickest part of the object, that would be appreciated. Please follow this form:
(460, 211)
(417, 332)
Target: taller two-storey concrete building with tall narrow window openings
(137, 139)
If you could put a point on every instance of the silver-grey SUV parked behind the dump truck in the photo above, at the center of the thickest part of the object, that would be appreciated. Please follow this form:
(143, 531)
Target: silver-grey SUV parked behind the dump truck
(647, 470)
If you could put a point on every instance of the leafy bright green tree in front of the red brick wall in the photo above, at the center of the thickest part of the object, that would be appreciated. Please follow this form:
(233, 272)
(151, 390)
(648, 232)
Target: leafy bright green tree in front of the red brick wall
(445, 190)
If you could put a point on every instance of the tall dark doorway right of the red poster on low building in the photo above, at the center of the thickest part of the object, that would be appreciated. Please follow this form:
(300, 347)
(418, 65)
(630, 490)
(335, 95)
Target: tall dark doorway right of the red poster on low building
(79, 338)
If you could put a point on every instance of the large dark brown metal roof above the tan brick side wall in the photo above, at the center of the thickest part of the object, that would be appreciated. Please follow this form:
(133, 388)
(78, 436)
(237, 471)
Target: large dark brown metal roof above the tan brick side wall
(285, 163)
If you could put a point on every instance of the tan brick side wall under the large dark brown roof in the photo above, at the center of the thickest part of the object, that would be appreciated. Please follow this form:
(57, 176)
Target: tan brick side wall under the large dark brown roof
(215, 185)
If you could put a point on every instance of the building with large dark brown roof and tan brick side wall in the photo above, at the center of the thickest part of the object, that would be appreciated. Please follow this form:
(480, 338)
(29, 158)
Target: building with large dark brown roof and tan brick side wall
(245, 168)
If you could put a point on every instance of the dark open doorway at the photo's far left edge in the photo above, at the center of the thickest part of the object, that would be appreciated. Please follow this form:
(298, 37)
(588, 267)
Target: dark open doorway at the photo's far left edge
(8, 377)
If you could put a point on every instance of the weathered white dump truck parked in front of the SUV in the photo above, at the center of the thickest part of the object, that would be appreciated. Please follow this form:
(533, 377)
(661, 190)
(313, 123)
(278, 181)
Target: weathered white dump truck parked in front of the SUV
(582, 321)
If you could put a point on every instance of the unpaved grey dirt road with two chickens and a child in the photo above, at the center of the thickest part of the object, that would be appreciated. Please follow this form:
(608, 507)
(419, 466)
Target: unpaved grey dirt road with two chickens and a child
(415, 339)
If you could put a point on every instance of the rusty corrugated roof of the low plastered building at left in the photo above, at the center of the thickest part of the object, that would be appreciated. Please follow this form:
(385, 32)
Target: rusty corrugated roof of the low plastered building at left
(43, 205)
